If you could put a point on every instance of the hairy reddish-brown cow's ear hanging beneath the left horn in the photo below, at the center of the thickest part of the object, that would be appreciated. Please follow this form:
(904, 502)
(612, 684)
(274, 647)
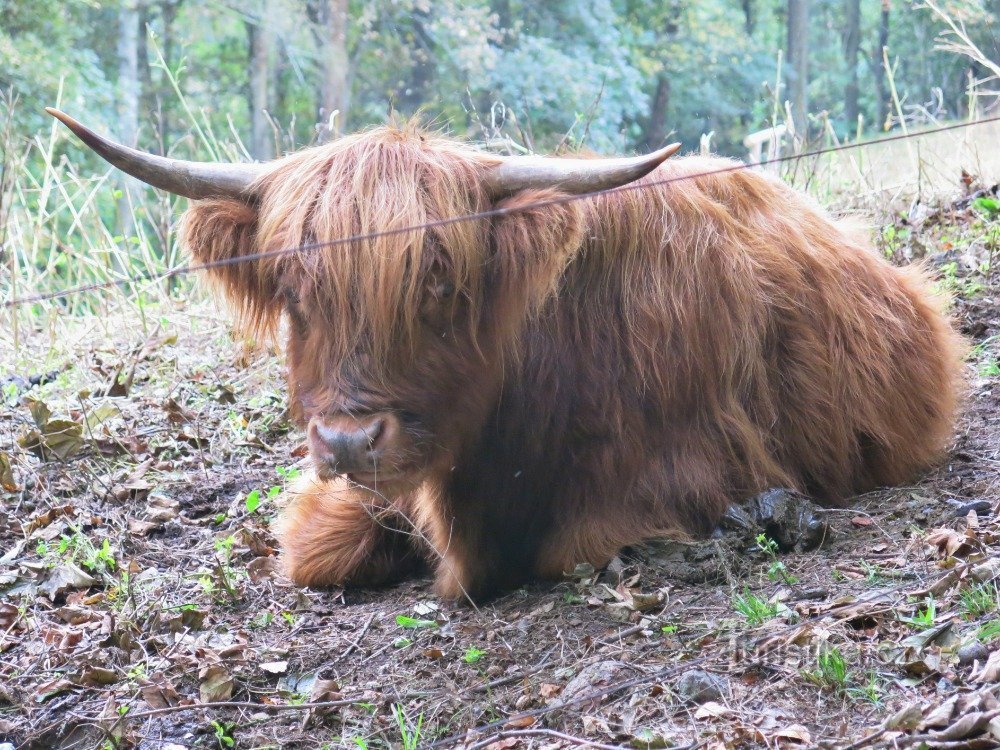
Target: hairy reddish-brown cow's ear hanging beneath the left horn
(219, 233)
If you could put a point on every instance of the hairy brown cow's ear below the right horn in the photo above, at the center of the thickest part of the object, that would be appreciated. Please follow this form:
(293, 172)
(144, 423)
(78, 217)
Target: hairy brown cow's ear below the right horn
(532, 243)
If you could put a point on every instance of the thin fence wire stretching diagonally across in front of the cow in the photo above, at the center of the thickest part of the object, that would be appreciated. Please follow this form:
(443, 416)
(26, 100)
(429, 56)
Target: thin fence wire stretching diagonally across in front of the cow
(487, 214)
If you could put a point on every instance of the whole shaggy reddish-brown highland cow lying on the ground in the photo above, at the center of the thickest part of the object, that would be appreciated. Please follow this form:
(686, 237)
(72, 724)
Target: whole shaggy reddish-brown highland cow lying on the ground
(510, 396)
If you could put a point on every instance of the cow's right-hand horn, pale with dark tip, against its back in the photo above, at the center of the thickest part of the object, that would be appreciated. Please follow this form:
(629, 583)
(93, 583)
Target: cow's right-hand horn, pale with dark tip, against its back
(573, 176)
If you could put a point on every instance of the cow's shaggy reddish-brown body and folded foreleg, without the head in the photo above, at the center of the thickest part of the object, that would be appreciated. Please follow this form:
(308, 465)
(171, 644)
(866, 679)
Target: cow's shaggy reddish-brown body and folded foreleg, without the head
(757, 345)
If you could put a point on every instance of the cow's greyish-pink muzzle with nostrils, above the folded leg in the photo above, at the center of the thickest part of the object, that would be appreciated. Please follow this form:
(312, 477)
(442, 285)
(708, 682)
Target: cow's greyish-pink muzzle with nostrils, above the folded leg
(357, 446)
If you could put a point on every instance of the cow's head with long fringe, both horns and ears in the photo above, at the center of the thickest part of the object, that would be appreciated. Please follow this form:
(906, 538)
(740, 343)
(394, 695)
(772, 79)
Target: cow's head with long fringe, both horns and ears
(397, 339)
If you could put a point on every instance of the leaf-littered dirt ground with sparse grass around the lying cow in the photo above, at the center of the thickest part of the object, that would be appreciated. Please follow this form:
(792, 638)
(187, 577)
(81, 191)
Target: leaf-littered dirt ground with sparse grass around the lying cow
(142, 461)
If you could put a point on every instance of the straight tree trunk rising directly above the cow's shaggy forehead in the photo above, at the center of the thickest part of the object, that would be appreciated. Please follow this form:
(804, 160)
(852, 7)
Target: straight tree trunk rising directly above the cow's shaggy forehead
(334, 96)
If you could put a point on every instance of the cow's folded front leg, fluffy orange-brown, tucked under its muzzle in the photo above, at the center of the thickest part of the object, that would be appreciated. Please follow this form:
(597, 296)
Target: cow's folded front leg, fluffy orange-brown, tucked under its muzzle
(334, 535)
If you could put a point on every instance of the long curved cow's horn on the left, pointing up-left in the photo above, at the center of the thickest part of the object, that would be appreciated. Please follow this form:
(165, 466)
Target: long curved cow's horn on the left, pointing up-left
(192, 179)
